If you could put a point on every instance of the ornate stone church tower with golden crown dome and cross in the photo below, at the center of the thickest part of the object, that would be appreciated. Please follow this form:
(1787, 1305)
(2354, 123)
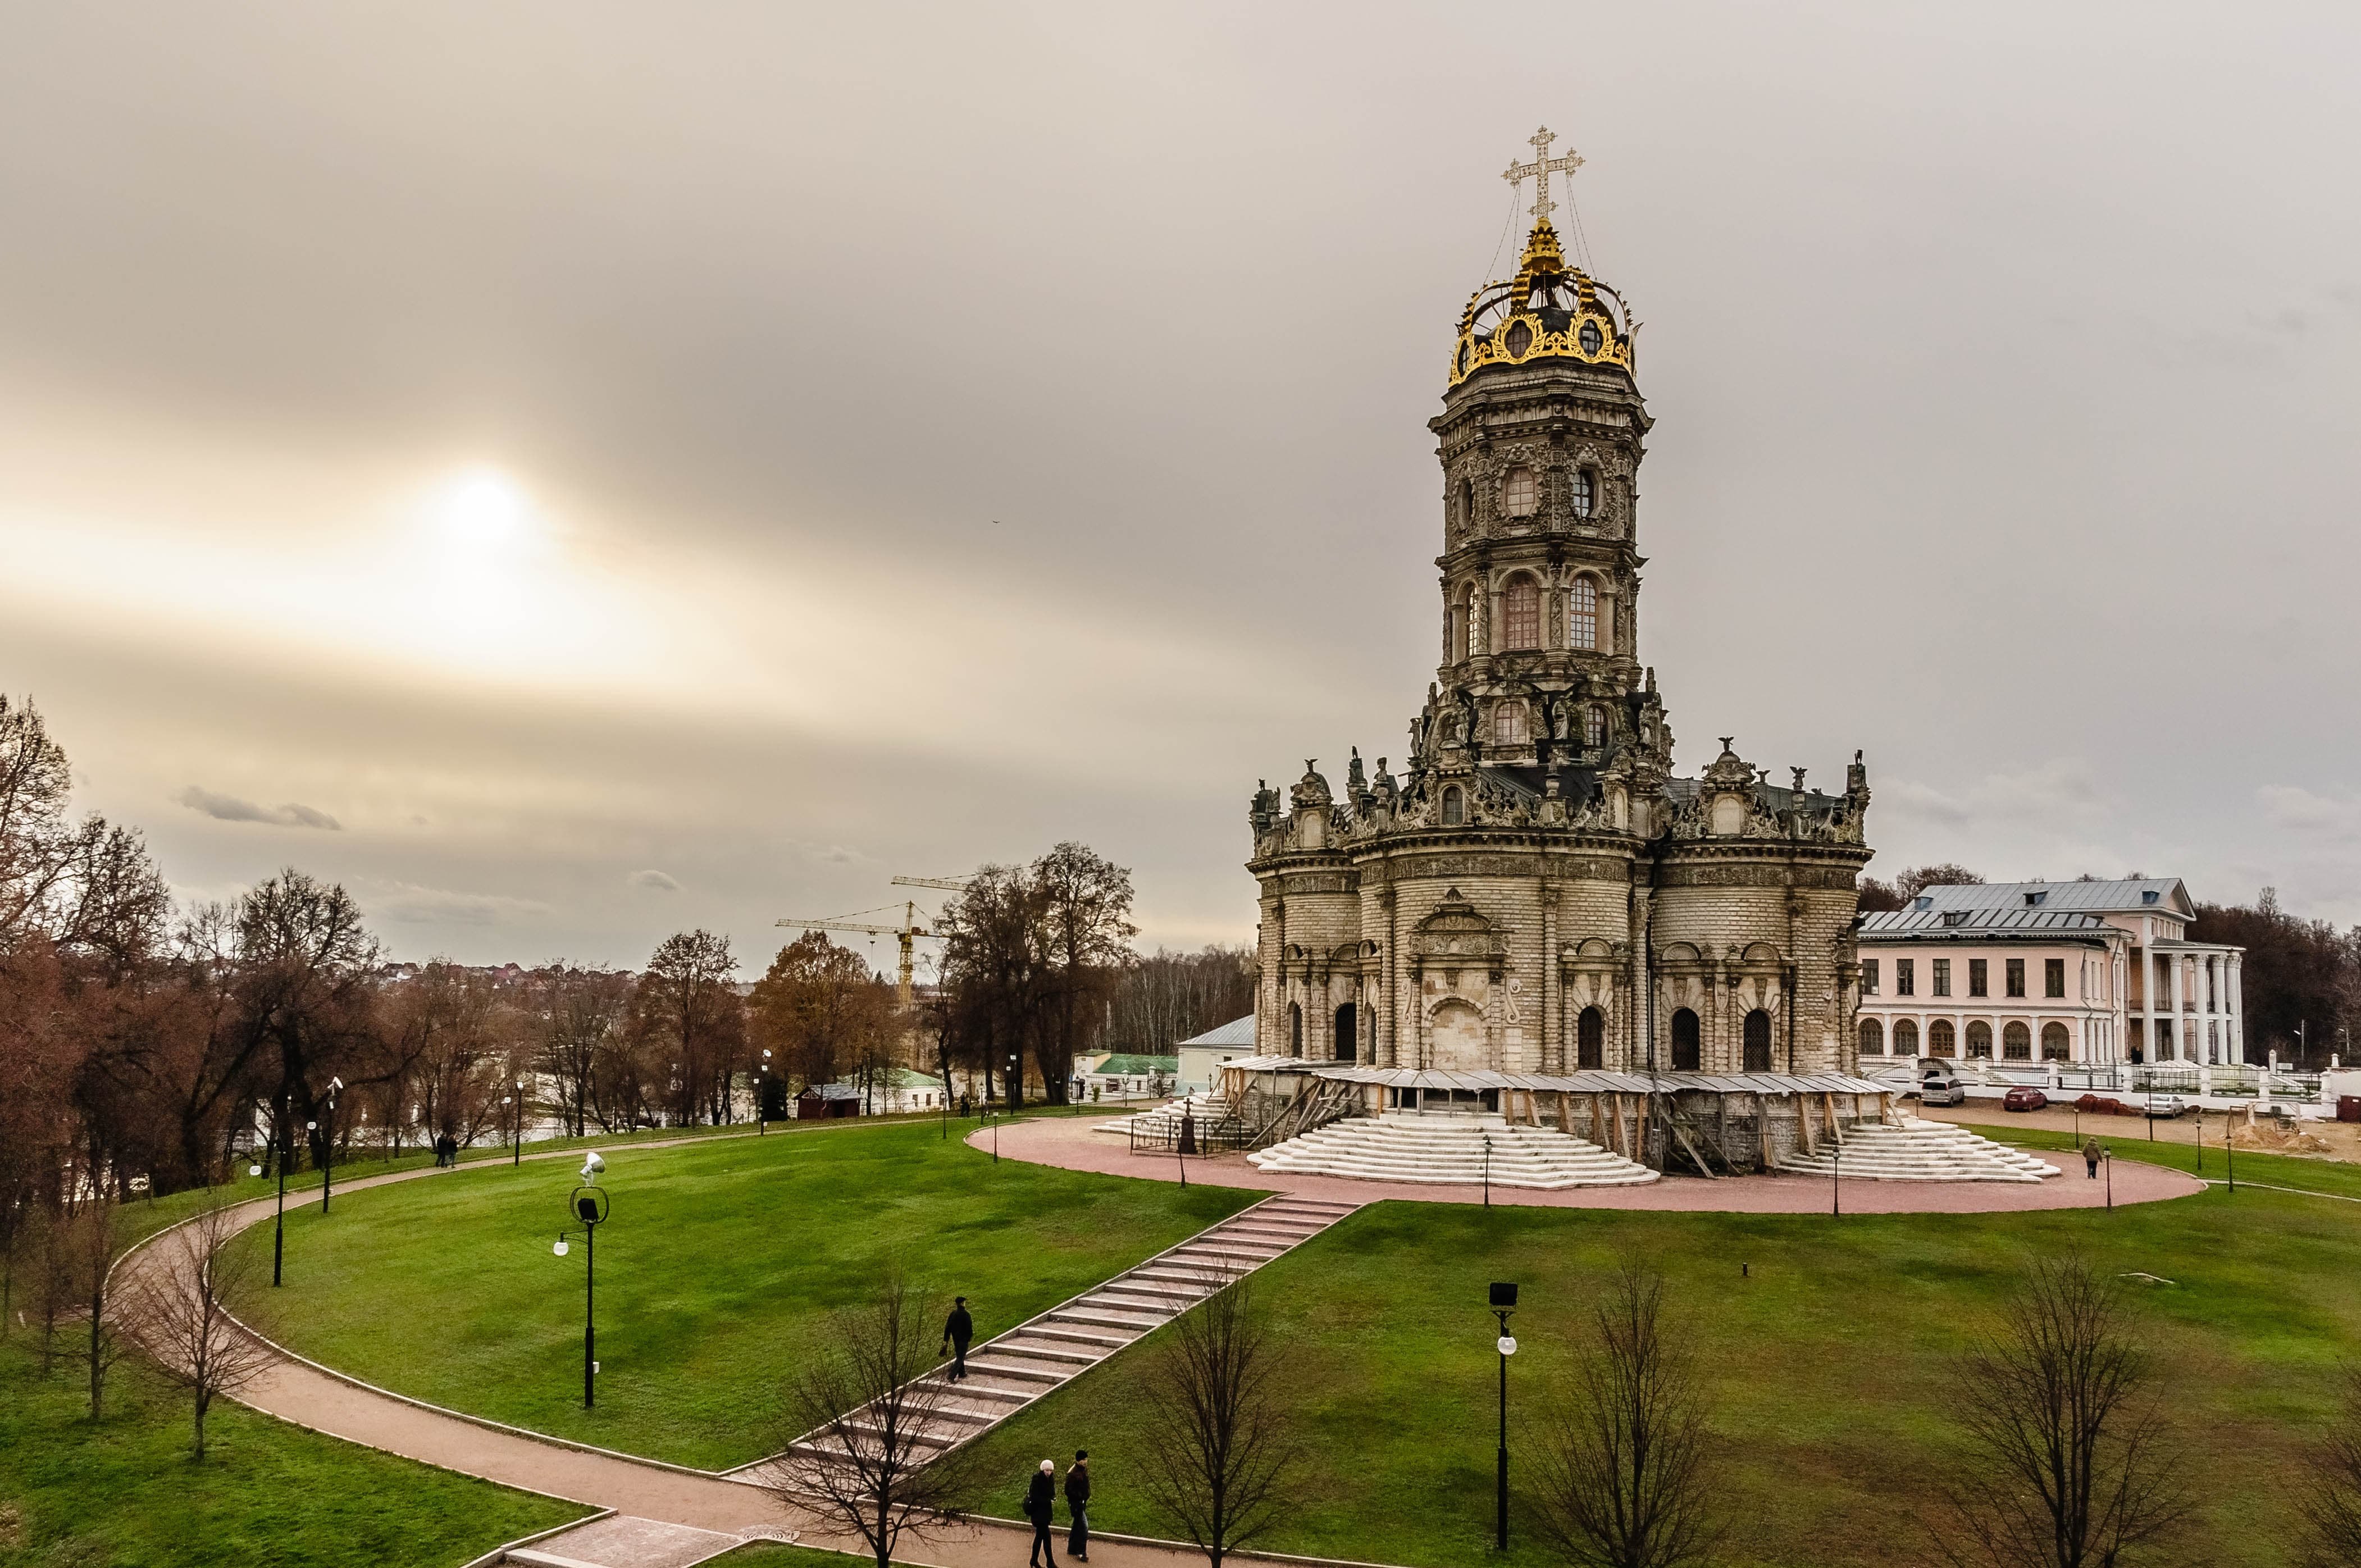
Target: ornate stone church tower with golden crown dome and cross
(1538, 894)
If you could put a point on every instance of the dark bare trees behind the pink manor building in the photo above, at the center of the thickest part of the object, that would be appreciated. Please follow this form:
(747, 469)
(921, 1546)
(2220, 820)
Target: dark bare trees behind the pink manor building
(2301, 981)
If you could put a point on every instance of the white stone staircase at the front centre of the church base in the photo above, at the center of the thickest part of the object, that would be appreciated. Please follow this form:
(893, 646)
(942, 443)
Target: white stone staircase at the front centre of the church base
(1451, 1151)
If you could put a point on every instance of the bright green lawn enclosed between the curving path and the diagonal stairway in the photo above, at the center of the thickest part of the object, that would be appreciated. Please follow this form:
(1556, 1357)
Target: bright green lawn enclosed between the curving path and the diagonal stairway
(714, 1272)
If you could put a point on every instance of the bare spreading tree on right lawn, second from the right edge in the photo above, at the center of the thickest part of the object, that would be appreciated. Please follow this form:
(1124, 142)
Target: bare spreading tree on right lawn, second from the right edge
(2072, 1461)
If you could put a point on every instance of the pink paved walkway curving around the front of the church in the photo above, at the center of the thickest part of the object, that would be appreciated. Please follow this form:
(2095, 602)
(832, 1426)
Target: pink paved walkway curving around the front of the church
(1073, 1146)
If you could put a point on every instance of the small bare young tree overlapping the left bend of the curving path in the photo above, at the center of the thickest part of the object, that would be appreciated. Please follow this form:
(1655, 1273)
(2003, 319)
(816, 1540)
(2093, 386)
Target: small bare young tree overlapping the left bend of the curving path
(181, 1312)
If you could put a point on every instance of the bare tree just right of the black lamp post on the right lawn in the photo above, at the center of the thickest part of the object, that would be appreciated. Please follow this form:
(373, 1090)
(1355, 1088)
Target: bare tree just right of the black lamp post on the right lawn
(1623, 1472)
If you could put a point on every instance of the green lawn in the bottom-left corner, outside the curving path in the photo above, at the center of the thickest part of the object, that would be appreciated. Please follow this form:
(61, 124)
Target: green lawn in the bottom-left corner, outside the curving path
(126, 1496)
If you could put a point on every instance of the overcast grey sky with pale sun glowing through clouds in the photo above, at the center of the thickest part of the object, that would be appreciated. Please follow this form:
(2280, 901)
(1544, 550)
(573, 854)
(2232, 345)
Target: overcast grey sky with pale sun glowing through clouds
(582, 471)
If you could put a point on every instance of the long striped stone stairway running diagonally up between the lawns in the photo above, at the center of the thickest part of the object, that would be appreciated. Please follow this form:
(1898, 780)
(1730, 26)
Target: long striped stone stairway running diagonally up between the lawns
(1038, 1357)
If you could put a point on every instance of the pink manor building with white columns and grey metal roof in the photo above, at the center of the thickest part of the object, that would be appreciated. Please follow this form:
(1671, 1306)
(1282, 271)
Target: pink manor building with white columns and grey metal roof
(2088, 972)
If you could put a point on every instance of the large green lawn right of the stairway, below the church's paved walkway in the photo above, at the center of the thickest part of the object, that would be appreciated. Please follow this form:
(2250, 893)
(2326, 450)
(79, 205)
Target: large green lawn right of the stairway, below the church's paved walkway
(1826, 1350)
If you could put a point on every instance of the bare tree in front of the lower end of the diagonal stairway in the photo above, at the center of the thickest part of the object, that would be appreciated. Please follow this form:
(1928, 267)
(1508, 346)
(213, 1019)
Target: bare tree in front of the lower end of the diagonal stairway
(868, 1404)
